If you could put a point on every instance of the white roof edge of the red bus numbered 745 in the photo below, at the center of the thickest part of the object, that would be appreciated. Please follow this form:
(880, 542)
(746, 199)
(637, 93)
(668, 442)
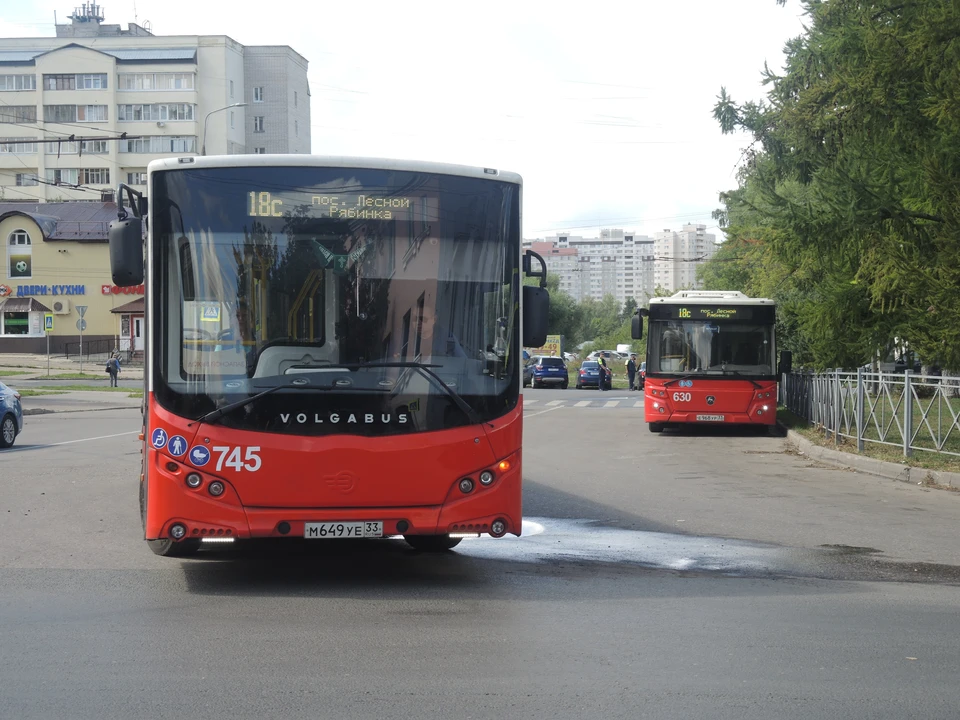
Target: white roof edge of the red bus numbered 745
(290, 160)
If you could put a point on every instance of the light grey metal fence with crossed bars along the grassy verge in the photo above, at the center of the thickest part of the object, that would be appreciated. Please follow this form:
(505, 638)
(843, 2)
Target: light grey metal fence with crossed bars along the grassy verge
(912, 412)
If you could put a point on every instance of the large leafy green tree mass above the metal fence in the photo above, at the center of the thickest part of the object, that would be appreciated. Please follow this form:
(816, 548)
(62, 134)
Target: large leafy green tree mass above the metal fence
(847, 210)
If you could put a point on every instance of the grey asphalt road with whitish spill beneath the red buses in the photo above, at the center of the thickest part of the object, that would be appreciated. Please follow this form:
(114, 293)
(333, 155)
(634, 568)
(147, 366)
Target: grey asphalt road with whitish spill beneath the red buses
(661, 576)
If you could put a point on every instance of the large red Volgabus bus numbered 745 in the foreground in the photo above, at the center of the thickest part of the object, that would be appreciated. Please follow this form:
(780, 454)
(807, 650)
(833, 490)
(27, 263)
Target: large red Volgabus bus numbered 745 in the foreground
(332, 348)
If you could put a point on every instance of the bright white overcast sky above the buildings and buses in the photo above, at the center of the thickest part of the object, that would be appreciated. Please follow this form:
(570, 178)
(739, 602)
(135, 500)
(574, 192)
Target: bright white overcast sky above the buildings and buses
(604, 109)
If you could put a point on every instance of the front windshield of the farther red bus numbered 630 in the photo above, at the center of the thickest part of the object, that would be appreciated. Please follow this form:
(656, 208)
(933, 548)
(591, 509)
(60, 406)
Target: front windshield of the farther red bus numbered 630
(715, 348)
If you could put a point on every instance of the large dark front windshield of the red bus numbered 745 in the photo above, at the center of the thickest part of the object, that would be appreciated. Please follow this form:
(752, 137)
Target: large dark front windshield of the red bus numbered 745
(340, 279)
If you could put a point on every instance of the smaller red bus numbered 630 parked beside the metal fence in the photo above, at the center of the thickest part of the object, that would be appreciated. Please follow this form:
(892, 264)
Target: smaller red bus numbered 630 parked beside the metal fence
(710, 360)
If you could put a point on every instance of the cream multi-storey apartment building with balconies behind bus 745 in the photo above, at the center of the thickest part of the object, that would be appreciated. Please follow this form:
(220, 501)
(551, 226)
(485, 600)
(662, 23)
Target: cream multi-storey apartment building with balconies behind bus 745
(89, 108)
